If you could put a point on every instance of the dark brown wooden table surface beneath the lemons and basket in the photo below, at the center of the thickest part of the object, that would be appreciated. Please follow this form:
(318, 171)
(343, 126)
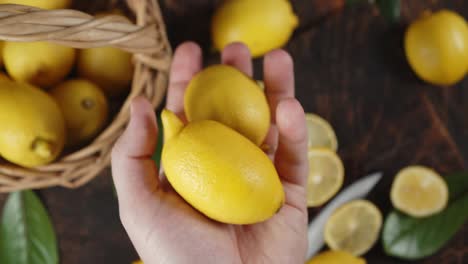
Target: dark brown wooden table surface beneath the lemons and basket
(350, 69)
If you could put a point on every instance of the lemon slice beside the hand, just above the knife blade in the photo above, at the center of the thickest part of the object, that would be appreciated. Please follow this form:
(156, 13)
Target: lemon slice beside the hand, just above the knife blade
(326, 173)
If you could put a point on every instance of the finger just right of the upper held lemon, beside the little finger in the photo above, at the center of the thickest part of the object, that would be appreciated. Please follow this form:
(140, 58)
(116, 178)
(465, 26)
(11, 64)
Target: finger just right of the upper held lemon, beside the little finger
(278, 77)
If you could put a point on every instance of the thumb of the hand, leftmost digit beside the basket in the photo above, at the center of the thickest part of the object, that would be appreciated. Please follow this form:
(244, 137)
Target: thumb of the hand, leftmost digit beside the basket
(133, 170)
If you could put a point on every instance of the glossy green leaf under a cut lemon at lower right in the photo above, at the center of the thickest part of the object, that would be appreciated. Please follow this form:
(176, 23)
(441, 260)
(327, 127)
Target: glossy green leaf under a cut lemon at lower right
(415, 238)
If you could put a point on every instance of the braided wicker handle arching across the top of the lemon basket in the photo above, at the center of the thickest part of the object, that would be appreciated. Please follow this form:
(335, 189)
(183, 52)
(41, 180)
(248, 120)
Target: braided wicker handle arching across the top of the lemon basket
(80, 30)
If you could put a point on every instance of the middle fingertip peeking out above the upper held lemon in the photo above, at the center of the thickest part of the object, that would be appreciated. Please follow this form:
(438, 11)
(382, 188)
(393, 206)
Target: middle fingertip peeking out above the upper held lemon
(238, 56)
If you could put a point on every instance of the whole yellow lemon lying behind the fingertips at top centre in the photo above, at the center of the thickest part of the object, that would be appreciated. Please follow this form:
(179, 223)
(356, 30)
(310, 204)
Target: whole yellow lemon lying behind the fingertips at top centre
(263, 25)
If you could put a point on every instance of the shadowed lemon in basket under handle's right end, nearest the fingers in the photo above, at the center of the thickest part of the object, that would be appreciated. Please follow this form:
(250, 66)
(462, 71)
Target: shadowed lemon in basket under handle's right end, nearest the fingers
(108, 67)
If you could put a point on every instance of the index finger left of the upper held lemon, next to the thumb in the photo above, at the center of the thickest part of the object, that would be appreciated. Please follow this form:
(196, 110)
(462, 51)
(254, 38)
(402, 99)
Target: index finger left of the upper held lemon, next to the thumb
(186, 63)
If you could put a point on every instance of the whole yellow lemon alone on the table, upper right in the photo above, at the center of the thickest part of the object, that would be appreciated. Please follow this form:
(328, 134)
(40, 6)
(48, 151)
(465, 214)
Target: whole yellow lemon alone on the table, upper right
(436, 46)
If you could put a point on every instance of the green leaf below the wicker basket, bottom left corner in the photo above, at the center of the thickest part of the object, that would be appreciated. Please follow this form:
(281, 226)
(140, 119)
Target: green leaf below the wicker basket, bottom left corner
(26, 232)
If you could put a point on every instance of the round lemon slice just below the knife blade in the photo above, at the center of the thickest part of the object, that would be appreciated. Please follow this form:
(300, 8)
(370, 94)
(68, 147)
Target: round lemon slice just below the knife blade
(354, 227)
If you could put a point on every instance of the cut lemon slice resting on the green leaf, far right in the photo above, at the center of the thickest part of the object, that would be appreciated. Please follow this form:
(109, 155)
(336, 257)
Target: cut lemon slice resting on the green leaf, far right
(419, 191)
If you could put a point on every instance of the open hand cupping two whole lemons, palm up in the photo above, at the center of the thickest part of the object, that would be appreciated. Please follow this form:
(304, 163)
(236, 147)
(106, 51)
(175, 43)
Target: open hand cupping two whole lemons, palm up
(163, 227)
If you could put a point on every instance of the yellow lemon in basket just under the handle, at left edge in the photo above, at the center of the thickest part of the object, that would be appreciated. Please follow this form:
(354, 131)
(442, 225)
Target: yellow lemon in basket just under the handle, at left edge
(40, 63)
